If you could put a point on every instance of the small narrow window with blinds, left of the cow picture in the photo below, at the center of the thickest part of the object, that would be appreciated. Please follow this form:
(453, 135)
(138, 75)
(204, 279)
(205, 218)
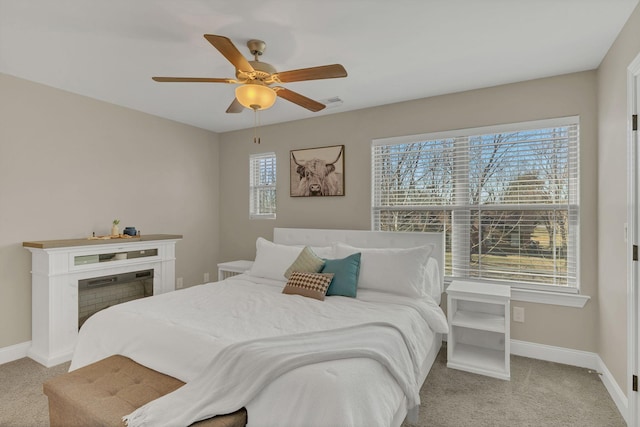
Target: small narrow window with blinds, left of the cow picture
(262, 186)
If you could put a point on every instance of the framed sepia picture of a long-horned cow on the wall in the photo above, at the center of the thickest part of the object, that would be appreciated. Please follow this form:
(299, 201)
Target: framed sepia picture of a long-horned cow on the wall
(317, 172)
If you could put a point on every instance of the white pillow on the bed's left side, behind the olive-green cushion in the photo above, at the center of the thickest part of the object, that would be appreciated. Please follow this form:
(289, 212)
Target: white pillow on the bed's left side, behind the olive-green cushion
(272, 259)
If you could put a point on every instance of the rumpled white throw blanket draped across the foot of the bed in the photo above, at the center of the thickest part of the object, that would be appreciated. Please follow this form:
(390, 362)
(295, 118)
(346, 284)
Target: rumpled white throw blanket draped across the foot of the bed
(240, 371)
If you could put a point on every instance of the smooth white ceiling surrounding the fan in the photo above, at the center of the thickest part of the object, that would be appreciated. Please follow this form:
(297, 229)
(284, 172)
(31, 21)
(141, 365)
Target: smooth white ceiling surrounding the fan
(392, 50)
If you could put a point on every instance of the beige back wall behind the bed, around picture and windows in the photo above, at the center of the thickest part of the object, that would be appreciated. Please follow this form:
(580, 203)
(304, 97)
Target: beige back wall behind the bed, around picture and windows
(560, 96)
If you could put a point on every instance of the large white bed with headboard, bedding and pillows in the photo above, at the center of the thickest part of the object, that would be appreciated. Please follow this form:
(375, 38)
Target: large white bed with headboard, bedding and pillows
(183, 333)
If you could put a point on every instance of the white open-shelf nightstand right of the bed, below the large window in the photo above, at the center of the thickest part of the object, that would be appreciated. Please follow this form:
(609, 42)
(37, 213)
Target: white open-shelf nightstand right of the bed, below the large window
(479, 335)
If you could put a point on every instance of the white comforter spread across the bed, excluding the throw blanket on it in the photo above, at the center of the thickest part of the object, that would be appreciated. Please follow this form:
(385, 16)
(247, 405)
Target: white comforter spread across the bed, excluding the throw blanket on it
(179, 333)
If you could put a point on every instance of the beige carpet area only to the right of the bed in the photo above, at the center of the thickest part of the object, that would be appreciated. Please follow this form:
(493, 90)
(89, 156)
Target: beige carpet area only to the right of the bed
(539, 394)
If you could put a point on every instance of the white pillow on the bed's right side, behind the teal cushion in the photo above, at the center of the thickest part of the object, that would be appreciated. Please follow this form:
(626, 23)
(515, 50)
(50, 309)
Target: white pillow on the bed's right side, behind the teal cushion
(399, 271)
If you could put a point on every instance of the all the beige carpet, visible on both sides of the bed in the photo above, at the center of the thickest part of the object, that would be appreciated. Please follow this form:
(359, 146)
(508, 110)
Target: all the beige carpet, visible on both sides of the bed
(539, 394)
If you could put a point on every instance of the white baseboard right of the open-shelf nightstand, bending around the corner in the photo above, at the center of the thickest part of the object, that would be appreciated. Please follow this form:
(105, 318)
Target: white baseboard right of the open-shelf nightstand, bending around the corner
(582, 359)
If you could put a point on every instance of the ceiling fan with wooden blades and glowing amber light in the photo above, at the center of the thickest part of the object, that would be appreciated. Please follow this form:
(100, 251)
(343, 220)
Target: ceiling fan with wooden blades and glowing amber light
(256, 79)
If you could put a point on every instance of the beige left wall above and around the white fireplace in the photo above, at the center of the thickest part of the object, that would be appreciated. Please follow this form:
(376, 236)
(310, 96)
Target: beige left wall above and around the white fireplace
(69, 165)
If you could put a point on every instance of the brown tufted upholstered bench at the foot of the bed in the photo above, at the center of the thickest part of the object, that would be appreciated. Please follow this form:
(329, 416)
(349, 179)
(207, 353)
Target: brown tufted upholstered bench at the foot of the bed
(102, 393)
